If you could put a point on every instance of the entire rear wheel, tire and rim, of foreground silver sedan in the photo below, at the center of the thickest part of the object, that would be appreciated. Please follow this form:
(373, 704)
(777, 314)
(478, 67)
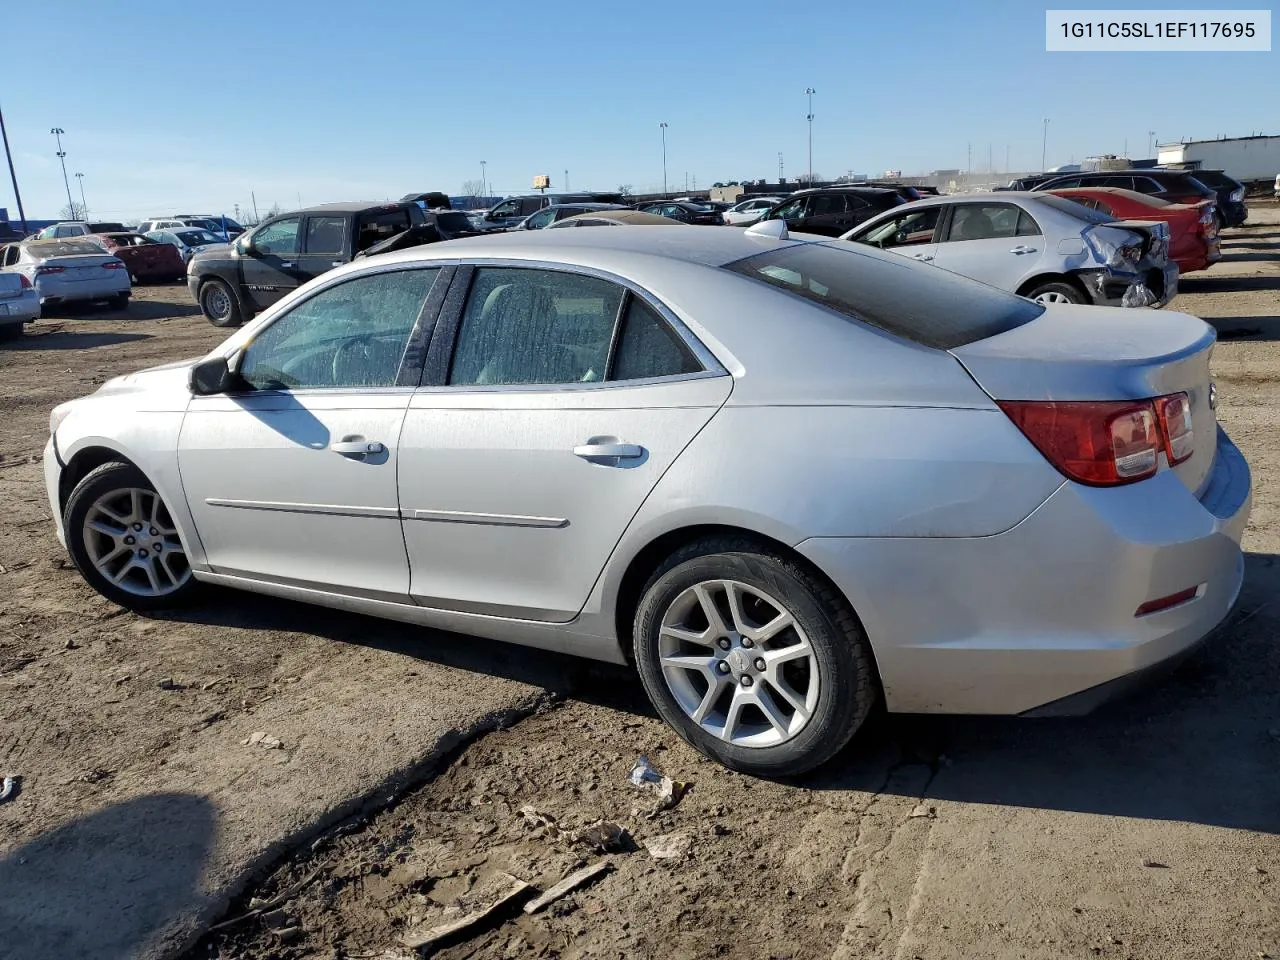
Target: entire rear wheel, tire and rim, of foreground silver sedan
(835, 678)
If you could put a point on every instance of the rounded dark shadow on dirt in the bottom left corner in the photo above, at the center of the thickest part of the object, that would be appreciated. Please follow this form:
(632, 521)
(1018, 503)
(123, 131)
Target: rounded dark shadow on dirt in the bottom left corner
(106, 885)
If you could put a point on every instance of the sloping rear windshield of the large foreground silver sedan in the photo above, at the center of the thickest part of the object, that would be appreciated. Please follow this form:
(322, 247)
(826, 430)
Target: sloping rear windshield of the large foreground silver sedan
(920, 304)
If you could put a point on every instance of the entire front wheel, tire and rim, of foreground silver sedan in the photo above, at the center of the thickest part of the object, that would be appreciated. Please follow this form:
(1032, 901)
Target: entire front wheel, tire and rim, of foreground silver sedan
(118, 499)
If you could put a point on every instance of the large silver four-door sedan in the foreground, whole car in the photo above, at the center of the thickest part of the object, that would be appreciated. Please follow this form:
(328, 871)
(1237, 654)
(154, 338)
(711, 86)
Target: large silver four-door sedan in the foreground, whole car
(784, 479)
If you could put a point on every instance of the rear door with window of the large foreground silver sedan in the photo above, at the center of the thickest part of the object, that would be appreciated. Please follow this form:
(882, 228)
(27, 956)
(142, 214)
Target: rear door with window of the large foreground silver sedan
(523, 463)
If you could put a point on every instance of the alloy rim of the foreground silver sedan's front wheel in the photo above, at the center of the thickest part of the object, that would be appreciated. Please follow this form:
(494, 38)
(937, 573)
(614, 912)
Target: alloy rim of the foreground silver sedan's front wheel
(132, 542)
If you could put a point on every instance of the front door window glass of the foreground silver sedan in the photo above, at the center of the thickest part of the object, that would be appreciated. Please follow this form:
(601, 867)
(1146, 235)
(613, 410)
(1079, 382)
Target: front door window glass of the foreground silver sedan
(353, 335)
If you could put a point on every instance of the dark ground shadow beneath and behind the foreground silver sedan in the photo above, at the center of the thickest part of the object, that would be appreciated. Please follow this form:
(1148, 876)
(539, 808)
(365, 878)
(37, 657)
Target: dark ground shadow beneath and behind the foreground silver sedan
(1200, 746)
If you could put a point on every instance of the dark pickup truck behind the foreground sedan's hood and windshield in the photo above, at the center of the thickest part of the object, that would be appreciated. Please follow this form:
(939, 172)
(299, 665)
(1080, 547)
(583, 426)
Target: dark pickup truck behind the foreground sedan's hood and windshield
(231, 282)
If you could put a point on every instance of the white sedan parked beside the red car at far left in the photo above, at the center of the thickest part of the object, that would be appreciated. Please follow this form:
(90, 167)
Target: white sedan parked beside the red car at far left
(67, 271)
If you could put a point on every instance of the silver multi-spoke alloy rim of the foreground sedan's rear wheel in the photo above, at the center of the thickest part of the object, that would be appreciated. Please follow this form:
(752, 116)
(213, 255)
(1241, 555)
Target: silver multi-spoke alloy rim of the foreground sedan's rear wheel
(739, 664)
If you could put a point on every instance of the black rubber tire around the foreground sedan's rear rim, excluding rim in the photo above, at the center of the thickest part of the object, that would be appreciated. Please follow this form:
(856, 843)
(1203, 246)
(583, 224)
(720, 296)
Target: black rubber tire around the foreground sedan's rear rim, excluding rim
(845, 694)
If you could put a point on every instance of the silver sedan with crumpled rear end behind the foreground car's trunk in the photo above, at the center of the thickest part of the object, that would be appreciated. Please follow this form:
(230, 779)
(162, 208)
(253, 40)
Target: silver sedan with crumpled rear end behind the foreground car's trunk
(1040, 246)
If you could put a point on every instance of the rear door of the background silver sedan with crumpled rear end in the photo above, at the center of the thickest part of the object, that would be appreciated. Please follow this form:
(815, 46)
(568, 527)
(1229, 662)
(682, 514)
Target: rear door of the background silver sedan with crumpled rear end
(998, 244)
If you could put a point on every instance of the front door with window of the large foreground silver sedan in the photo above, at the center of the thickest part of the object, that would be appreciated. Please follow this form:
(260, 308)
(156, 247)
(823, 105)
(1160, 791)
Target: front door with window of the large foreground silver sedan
(291, 478)
